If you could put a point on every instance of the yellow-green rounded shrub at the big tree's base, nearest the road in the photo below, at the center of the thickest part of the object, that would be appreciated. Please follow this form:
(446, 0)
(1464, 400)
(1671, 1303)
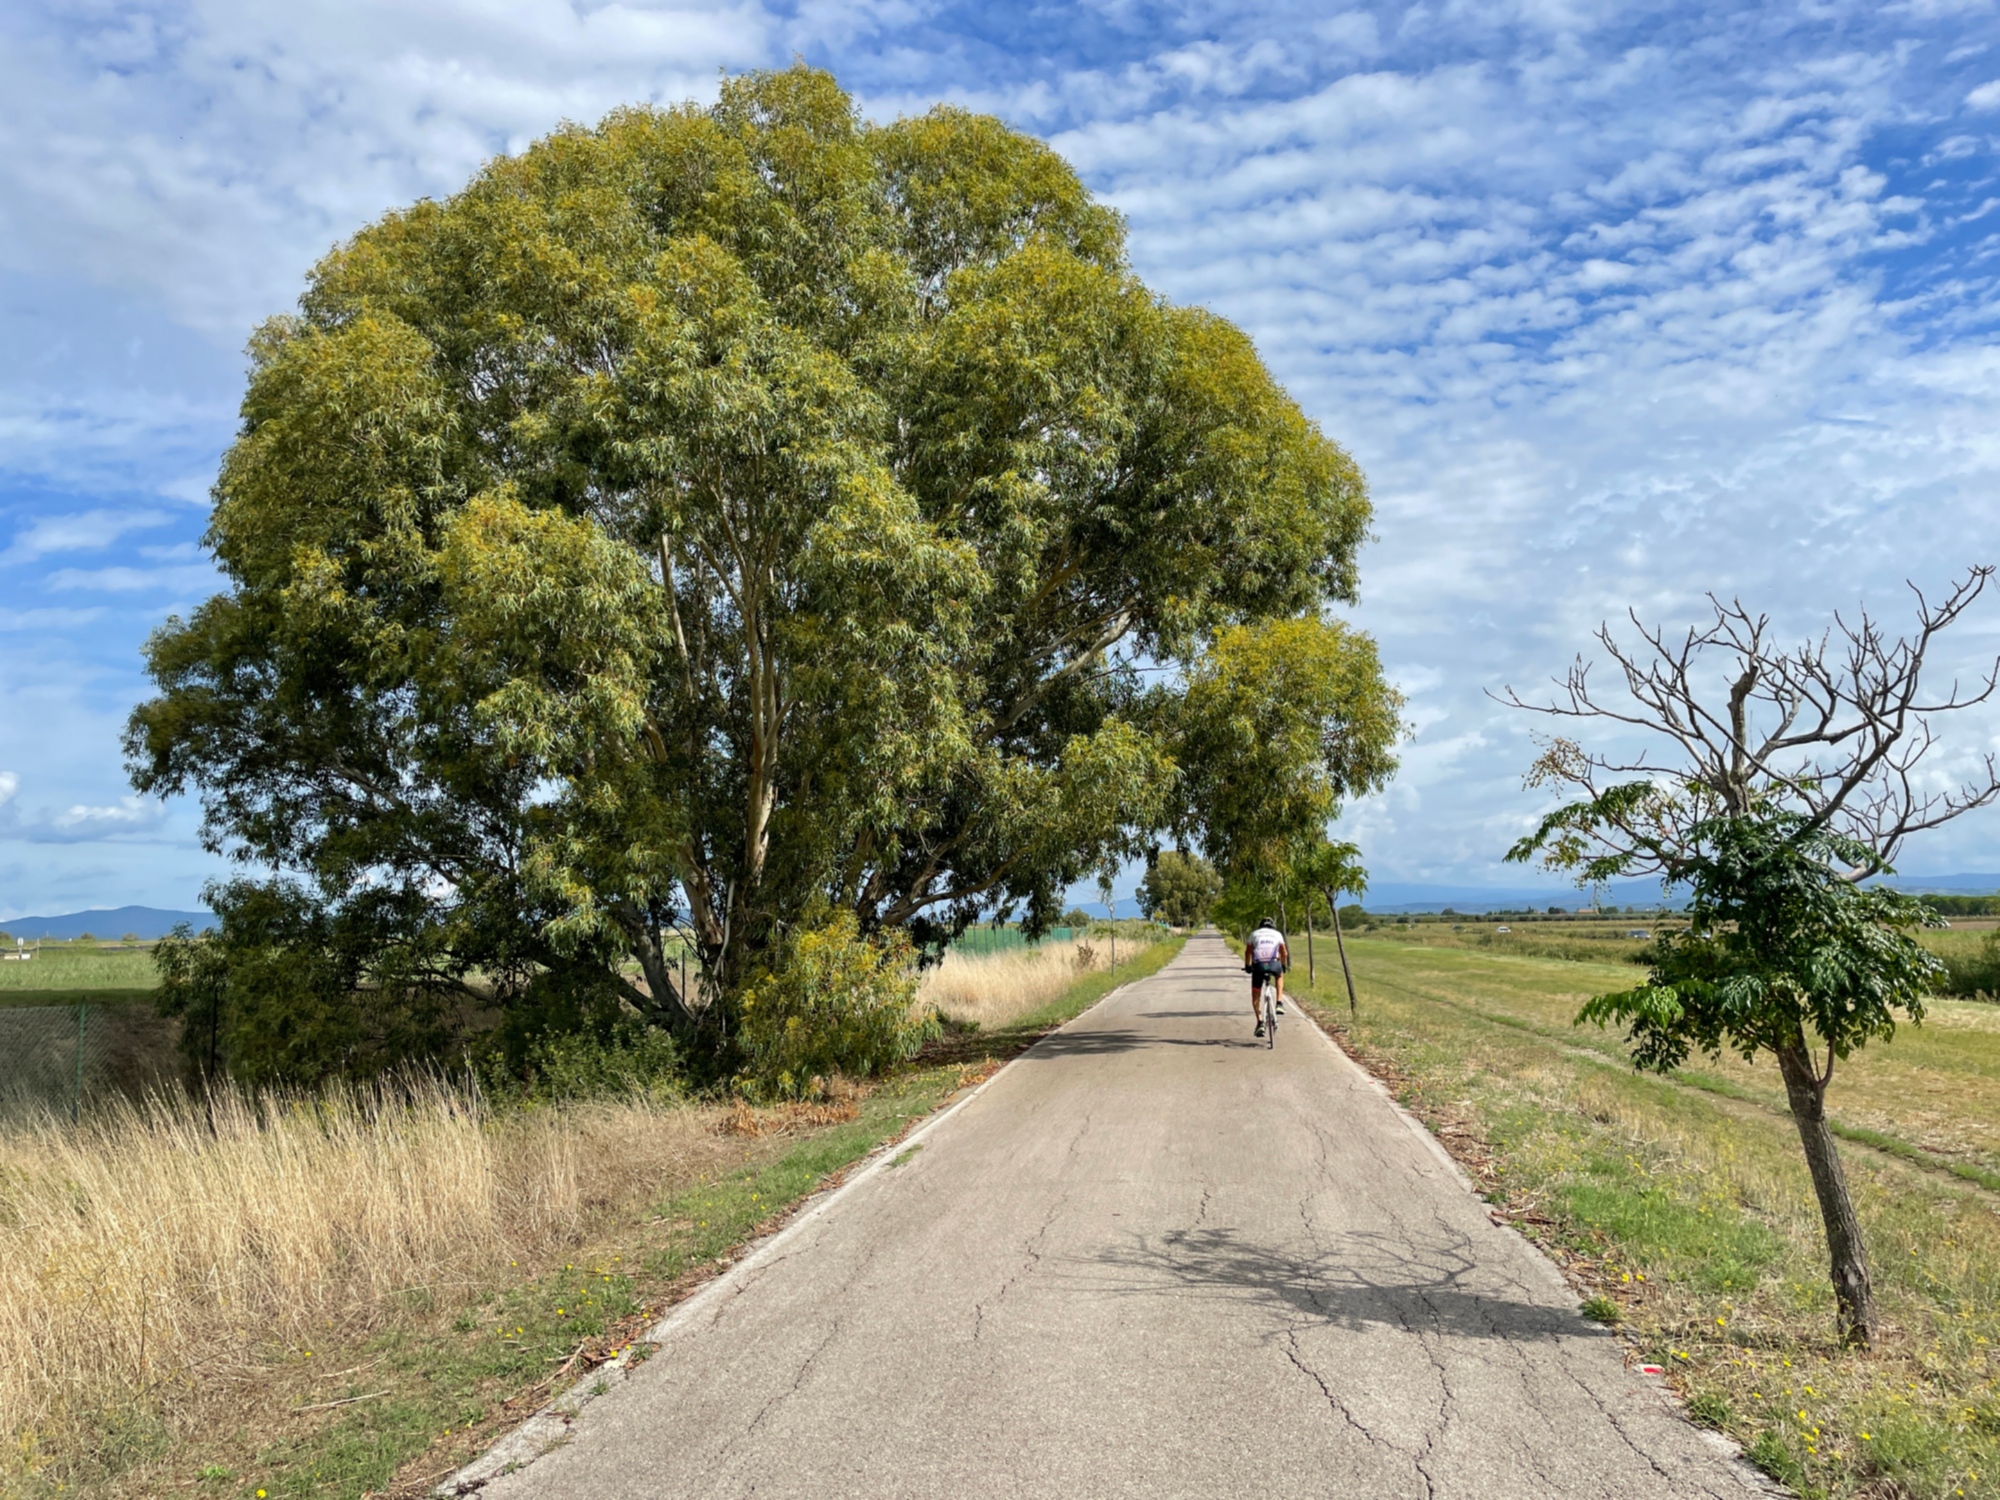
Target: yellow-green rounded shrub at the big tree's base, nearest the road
(837, 1005)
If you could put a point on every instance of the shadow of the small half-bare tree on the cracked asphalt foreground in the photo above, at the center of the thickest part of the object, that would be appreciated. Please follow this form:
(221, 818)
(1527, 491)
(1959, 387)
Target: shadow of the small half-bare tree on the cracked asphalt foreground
(1373, 1281)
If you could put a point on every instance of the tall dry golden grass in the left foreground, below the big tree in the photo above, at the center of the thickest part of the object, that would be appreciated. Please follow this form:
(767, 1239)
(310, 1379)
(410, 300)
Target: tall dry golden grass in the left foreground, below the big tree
(157, 1259)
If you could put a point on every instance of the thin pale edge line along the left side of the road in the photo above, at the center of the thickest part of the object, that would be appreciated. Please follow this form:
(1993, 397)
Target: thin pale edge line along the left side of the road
(551, 1425)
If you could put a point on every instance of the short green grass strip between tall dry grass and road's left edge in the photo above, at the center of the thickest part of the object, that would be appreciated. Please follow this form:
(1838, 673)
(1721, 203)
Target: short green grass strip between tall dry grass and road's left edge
(433, 1395)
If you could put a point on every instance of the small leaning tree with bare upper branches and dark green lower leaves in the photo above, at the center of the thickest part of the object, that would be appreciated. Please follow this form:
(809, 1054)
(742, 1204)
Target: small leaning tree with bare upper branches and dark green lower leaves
(1793, 781)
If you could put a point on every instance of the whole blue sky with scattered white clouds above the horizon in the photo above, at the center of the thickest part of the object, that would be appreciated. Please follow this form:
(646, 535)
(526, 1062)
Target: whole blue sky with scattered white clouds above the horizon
(1615, 303)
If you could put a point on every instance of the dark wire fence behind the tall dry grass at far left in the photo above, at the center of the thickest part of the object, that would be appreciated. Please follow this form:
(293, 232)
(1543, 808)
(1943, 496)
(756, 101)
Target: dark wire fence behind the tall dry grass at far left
(61, 1061)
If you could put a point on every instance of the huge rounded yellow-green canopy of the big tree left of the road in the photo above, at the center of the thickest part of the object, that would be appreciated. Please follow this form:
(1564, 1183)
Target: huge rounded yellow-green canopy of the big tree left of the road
(731, 517)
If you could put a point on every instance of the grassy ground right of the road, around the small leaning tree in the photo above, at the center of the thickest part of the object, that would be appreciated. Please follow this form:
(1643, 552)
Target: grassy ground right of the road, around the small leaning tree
(1683, 1209)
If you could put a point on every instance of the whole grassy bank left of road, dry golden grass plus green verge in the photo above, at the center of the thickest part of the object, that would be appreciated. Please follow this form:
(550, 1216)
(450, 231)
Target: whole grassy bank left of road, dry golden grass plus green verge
(325, 1299)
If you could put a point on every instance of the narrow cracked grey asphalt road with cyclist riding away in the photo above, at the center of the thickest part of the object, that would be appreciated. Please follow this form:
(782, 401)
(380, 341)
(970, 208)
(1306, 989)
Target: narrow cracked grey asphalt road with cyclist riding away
(1151, 1259)
